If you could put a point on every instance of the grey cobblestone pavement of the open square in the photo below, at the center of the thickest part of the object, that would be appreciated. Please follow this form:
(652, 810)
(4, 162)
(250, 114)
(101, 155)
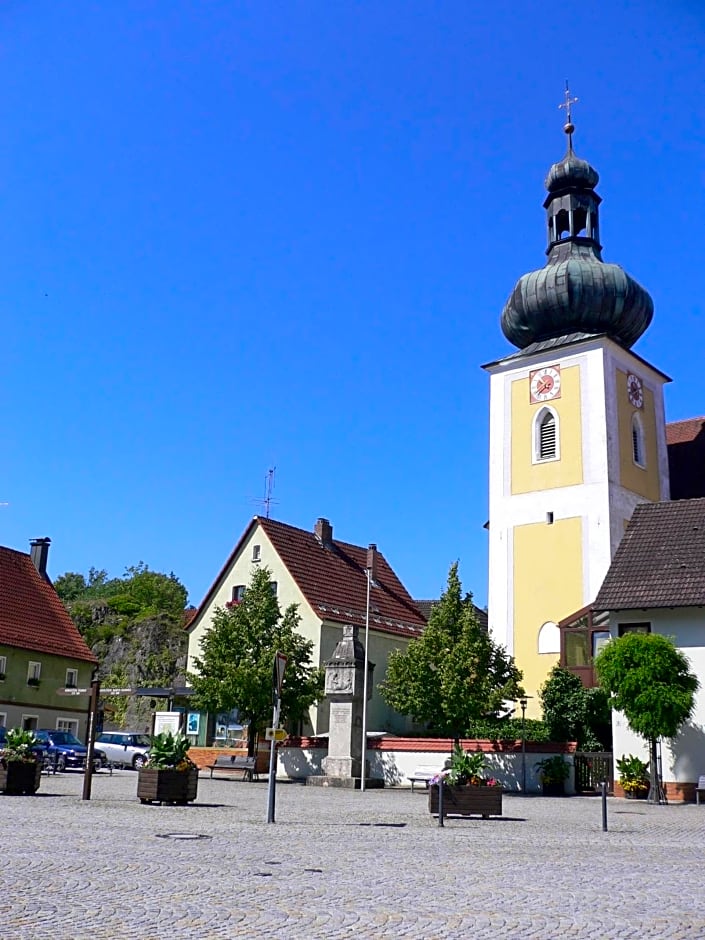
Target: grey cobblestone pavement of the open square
(340, 864)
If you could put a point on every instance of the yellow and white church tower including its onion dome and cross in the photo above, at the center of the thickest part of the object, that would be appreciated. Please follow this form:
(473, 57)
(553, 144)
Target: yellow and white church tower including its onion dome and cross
(577, 428)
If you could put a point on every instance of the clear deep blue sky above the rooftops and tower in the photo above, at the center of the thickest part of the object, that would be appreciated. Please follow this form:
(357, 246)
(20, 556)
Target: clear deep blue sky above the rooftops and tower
(239, 235)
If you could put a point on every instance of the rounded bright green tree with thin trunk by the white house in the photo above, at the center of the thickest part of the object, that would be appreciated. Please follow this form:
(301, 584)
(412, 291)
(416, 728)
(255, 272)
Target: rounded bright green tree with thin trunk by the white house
(650, 682)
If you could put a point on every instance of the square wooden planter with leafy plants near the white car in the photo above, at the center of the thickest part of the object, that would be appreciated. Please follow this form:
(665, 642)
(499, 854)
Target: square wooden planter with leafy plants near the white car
(168, 776)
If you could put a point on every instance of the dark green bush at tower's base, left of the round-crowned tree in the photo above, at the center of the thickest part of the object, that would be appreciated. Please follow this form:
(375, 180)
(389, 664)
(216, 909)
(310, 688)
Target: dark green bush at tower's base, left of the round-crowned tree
(574, 713)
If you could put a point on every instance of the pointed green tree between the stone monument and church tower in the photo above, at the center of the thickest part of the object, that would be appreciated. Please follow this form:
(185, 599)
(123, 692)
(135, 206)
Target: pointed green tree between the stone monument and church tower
(453, 674)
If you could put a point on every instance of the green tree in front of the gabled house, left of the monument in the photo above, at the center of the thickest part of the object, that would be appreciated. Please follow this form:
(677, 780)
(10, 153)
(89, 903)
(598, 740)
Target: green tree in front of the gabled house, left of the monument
(234, 669)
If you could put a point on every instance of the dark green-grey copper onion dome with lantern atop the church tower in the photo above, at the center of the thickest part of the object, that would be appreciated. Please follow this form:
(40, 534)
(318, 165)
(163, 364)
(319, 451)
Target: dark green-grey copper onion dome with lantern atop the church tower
(576, 292)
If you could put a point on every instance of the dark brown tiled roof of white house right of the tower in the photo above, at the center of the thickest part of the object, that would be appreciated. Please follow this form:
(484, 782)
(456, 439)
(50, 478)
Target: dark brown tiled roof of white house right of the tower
(660, 561)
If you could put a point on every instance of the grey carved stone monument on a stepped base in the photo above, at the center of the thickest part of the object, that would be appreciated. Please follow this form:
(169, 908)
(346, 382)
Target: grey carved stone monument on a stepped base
(344, 687)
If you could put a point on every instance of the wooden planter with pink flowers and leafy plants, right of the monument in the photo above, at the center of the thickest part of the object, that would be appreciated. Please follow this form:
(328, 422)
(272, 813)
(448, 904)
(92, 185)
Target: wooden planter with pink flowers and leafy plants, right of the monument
(467, 790)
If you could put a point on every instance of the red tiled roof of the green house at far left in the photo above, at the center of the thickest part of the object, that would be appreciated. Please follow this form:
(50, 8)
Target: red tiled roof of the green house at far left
(31, 615)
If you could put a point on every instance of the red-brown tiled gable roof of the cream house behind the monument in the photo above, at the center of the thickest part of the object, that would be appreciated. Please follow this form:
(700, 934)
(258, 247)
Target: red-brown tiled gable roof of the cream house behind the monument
(333, 580)
